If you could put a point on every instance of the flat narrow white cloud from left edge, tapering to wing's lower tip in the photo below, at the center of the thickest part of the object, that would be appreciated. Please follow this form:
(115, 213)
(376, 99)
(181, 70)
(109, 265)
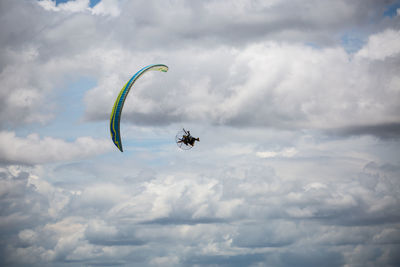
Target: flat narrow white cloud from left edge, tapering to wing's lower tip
(36, 150)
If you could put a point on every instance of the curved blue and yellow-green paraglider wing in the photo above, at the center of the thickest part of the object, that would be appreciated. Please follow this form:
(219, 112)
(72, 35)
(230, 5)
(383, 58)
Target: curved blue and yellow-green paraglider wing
(119, 103)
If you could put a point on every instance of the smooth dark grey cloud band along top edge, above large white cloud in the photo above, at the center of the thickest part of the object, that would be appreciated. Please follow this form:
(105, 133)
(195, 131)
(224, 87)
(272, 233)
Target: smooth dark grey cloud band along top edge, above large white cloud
(242, 22)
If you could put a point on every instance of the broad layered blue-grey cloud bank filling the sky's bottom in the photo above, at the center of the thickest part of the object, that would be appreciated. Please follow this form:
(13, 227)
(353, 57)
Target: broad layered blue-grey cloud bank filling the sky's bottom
(289, 219)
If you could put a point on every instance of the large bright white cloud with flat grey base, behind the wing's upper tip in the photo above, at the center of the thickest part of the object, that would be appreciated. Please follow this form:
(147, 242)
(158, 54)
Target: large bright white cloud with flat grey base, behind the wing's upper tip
(240, 90)
